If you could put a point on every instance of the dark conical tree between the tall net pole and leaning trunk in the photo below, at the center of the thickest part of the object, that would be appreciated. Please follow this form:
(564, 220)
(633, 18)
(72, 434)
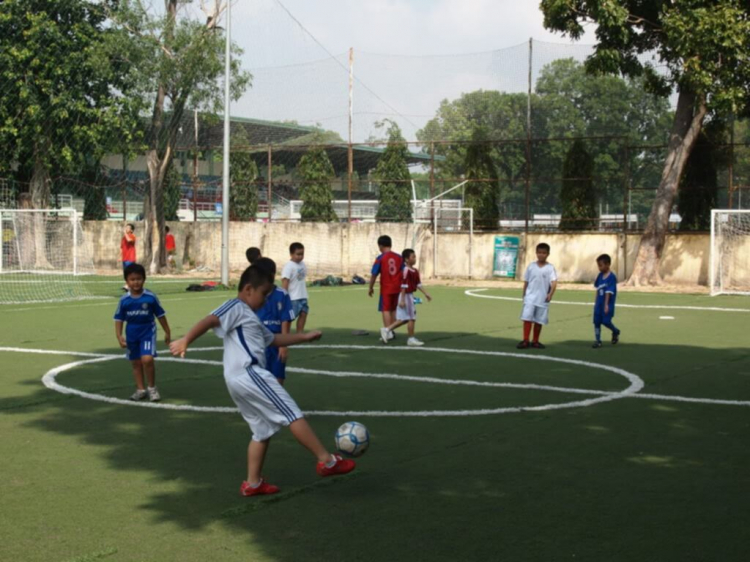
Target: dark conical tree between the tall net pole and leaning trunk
(578, 196)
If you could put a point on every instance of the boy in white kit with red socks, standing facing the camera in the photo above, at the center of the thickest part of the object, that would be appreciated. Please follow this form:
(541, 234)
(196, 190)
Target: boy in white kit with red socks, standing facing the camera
(539, 285)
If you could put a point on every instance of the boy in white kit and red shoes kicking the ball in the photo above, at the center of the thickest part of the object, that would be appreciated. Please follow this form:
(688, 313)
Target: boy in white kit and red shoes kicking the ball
(262, 401)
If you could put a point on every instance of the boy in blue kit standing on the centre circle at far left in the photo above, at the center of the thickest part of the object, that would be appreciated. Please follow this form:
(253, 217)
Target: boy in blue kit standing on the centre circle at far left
(138, 308)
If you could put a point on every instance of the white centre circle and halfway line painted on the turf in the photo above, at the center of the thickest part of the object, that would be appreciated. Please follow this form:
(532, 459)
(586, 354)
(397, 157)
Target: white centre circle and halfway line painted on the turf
(50, 382)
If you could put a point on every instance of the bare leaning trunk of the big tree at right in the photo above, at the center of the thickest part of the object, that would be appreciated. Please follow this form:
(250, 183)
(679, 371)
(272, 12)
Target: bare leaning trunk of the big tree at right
(688, 121)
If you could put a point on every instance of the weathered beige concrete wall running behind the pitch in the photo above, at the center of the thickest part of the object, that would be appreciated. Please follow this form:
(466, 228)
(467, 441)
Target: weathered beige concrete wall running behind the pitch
(342, 249)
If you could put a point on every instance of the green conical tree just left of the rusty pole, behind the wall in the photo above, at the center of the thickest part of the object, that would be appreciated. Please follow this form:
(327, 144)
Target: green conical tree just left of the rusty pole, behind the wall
(317, 194)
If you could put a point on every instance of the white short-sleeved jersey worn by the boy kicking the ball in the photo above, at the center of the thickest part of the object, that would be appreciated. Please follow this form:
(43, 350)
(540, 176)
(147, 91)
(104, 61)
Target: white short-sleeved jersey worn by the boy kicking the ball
(245, 337)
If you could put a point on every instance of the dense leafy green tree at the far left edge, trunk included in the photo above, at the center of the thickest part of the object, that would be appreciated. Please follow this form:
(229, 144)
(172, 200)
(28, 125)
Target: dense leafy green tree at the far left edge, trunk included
(66, 87)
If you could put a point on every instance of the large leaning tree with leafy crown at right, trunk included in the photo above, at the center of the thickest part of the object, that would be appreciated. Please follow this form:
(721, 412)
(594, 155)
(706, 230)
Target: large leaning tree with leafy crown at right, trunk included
(703, 48)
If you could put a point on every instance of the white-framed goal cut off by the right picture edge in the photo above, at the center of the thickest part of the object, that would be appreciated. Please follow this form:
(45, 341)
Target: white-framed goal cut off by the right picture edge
(730, 252)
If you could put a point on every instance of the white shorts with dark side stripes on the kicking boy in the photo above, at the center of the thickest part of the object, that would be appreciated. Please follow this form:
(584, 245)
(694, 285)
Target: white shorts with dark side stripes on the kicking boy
(262, 401)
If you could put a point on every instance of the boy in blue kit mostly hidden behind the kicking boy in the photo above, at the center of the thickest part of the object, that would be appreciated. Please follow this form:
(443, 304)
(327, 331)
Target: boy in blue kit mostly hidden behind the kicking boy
(277, 315)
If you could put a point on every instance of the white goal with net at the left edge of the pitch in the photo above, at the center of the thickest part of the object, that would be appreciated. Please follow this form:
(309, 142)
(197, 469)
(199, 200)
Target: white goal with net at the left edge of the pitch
(44, 256)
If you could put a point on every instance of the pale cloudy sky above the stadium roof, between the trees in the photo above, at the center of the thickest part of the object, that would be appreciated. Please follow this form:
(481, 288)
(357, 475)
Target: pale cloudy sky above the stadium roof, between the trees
(409, 56)
